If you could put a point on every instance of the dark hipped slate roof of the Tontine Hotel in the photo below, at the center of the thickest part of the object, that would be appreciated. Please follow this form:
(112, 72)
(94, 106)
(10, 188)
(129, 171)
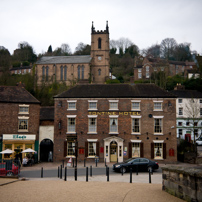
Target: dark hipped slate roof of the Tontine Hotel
(116, 91)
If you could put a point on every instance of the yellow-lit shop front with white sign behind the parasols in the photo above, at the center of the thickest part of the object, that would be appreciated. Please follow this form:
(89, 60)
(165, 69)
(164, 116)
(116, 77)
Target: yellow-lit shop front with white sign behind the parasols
(18, 143)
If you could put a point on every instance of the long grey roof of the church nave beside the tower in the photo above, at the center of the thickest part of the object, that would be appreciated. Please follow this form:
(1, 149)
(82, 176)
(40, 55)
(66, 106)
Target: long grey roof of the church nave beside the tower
(64, 59)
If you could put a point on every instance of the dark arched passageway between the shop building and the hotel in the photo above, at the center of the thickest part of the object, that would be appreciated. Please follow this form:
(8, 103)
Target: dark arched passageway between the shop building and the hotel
(46, 146)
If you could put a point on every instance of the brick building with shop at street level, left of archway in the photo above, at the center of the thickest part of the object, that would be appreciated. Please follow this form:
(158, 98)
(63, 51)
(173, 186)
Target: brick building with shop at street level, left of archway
(19, 118)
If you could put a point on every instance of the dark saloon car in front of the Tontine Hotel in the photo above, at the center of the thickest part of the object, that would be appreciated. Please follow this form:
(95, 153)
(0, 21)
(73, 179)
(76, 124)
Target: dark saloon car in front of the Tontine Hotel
(140, 164)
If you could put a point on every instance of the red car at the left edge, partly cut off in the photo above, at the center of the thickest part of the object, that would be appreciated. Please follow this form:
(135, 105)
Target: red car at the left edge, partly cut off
(6, 170)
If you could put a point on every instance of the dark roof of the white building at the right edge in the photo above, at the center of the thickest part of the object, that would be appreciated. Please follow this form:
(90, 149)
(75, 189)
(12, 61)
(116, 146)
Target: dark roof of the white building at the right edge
(187, 93)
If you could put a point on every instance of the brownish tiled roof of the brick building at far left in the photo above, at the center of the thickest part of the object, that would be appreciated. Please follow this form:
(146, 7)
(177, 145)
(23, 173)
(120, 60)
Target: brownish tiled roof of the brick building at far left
(16, 94)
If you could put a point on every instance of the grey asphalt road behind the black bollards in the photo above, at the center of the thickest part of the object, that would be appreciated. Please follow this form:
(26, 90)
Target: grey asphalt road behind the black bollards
(70, 172)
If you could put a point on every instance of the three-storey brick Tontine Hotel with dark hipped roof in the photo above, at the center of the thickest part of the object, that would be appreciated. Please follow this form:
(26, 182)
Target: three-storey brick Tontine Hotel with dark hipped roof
(115, 122)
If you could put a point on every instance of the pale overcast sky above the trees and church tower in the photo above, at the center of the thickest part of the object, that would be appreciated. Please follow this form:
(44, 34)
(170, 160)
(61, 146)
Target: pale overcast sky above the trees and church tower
(145, 22)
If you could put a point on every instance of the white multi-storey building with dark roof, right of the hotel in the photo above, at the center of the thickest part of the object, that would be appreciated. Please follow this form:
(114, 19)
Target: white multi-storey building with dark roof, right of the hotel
(188, 113)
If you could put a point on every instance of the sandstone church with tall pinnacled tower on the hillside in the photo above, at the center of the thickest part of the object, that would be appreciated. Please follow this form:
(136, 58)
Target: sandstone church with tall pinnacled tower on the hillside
(92, 68)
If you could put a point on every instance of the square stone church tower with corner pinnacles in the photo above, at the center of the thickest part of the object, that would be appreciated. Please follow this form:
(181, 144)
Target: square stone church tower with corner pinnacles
(100, 55)
